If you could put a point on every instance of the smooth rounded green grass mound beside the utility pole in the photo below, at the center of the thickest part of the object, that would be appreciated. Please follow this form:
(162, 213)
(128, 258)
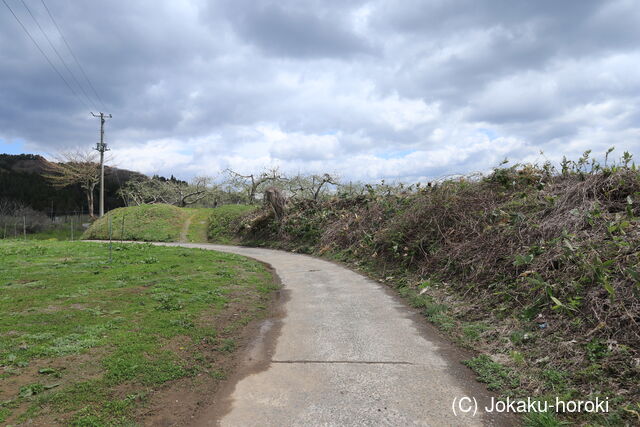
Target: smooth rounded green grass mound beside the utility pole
(149, 223)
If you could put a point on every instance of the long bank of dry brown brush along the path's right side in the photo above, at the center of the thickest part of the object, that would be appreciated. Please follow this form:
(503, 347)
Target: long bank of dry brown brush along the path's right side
(538, 269)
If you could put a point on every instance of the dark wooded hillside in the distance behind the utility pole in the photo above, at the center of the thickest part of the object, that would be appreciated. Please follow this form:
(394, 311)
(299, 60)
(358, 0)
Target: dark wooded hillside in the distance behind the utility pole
(21, 179)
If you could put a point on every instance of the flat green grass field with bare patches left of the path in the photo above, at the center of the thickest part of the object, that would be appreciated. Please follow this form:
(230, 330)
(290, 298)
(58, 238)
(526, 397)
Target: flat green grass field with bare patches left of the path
(86, 341)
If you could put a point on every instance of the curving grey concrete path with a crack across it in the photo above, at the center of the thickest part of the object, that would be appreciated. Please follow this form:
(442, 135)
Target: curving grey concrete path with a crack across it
(346, 352)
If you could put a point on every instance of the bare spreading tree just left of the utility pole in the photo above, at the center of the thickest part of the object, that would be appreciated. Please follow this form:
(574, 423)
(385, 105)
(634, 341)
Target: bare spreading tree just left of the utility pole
(77, 167)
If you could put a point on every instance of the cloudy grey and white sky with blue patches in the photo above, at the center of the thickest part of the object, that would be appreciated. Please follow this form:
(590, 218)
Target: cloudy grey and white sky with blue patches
(390, 89)
